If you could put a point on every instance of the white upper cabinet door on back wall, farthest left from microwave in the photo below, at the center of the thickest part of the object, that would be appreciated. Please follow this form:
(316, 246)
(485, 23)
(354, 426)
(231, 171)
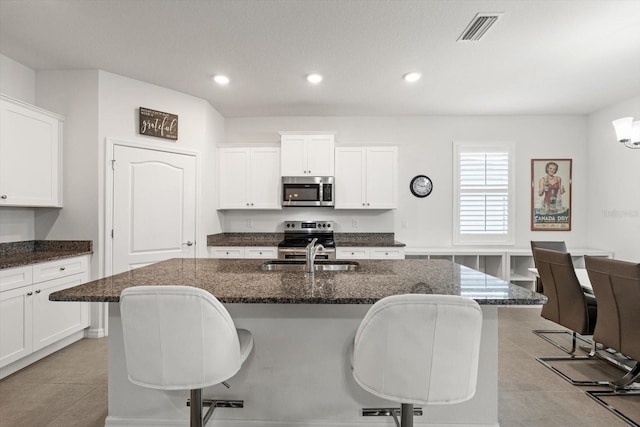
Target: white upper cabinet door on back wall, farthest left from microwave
(233, 178)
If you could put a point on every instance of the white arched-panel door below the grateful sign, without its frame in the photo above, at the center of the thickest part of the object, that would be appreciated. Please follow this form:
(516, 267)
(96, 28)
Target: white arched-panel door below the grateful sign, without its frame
(154, 207)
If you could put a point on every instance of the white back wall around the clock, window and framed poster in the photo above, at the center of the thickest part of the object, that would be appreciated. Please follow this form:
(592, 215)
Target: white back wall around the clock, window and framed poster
(425, 147)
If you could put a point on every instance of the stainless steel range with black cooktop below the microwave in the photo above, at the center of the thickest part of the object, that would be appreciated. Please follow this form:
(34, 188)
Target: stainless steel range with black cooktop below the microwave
(298, 234)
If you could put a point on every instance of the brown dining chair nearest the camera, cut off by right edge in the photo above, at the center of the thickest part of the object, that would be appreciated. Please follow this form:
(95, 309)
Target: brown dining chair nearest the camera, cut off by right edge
(616, 285)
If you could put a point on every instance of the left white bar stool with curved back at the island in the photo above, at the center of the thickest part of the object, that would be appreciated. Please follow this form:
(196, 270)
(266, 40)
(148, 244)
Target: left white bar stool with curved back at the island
(181, 338)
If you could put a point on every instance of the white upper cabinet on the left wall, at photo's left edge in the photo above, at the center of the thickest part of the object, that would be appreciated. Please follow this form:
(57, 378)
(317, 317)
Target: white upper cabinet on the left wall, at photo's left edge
(30, 155)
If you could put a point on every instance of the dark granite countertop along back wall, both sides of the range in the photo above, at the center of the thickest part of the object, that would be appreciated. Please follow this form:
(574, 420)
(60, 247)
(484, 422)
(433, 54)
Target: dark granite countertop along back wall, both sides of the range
(272, 239)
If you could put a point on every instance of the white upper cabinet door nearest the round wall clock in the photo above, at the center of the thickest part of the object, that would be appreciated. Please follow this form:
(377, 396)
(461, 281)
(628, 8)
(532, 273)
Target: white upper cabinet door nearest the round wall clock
(381, 181)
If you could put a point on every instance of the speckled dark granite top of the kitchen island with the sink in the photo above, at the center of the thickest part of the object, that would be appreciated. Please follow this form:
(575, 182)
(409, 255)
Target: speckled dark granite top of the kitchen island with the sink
(242, 281)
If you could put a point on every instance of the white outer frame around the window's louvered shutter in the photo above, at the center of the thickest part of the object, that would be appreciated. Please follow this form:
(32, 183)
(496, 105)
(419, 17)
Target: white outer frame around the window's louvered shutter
(507, 238)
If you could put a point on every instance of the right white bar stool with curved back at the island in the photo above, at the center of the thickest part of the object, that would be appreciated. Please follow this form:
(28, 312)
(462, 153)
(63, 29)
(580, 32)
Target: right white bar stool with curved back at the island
(418, 349)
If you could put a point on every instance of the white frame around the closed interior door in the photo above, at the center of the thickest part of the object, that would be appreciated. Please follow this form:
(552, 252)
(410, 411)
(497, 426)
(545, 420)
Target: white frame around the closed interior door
(111, 144)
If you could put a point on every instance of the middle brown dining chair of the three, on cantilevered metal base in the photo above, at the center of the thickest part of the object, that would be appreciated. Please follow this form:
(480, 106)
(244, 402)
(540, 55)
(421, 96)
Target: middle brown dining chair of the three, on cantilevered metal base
(567, 306)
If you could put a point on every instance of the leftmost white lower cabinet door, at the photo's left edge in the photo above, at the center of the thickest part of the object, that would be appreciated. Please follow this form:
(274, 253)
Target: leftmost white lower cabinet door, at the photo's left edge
(15, 324)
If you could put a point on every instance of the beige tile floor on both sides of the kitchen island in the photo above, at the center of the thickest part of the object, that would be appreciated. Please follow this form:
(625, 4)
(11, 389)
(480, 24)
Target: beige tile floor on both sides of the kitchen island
(69, 388)
